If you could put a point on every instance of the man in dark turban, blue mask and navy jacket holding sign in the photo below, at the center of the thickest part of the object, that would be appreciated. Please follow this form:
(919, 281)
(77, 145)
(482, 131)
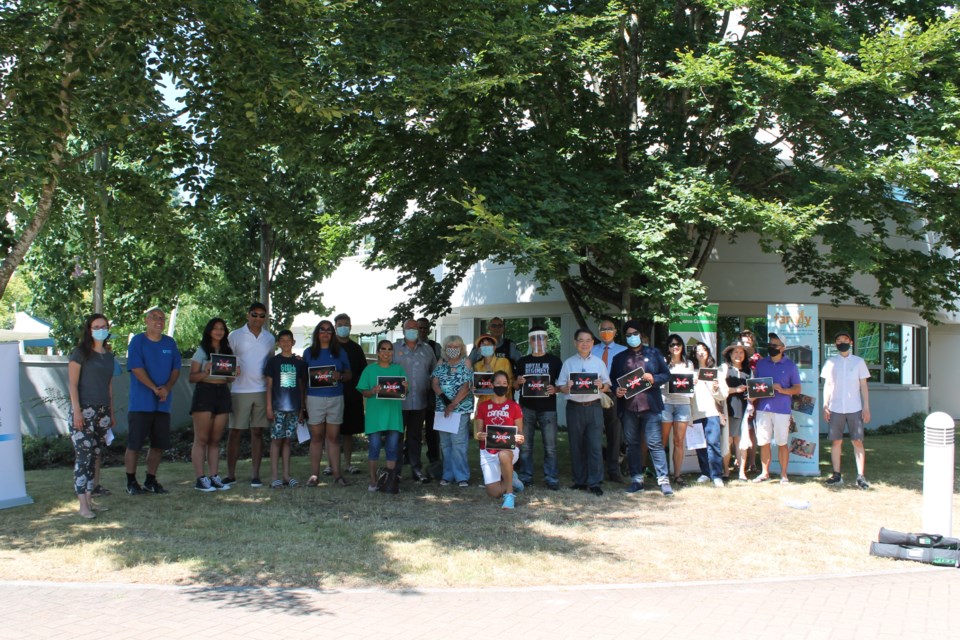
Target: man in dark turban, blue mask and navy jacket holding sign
(640, 414)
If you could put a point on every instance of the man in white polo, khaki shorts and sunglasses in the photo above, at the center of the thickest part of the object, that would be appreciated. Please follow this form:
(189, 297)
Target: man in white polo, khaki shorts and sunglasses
(253, 345)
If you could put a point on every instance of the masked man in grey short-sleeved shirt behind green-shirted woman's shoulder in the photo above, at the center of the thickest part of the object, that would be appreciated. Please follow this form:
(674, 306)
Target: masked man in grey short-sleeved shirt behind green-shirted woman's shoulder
(418, 360)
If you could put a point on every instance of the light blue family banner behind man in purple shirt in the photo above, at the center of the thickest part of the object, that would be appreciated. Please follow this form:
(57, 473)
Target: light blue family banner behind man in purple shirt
(798, 327)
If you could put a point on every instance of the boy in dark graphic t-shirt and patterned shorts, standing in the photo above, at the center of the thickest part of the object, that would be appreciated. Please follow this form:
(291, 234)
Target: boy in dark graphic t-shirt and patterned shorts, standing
(286, 380)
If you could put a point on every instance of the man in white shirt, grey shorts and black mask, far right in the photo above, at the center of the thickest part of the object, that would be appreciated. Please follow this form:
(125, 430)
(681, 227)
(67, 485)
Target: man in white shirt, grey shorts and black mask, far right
(846, 403)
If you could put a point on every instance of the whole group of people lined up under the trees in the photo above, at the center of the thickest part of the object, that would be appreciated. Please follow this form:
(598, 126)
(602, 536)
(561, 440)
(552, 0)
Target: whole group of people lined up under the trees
(269, 390)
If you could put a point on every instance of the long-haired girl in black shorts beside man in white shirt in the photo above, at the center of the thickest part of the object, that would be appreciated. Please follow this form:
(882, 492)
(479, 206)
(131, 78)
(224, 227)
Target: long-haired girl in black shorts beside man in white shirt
(211, 406)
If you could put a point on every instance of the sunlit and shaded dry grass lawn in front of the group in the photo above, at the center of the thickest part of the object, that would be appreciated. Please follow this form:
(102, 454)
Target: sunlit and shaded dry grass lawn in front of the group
(434, 536)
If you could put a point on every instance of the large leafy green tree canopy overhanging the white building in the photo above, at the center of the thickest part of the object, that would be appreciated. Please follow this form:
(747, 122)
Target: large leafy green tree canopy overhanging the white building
(606, 146)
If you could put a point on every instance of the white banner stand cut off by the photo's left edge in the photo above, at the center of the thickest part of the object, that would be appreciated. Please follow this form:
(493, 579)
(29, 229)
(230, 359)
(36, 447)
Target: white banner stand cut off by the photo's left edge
(13, 488)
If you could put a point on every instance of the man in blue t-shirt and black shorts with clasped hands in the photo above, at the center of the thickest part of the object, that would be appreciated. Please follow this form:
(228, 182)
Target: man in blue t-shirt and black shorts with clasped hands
(153, 359)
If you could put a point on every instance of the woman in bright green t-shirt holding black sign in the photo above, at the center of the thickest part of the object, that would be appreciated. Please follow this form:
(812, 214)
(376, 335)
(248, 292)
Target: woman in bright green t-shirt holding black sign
(383, 419)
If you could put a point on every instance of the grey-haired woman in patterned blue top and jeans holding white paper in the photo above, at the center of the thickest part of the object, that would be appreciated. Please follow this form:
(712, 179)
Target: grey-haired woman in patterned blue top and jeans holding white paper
(451, 386)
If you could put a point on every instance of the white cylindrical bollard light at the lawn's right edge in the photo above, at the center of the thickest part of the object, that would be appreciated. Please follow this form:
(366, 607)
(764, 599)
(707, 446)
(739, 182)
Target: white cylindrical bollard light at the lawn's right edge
(938, 437)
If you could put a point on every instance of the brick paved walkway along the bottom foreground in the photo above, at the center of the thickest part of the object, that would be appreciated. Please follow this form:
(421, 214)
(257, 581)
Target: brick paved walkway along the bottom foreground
(922, 603)
